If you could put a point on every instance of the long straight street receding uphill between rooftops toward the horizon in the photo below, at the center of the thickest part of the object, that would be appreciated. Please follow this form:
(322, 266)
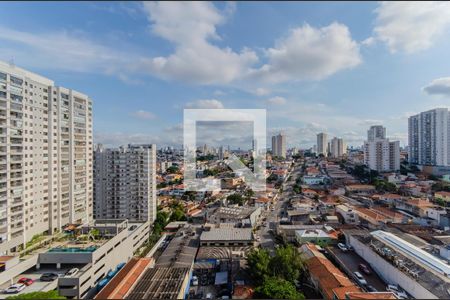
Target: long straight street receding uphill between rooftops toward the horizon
(273, 216)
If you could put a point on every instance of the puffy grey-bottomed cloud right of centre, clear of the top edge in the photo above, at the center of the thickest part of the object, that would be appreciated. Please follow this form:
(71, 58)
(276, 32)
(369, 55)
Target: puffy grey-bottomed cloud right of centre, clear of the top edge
(310, 53)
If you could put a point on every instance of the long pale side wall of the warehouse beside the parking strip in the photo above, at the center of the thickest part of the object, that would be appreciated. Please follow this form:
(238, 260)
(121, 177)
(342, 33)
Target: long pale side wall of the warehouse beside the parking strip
(388, 272)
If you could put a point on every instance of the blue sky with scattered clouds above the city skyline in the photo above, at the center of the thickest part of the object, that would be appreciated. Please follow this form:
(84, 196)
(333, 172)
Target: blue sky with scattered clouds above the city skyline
(334, 67)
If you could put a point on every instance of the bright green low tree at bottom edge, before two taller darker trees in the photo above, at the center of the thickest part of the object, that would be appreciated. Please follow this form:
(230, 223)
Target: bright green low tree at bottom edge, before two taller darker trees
(277, 288)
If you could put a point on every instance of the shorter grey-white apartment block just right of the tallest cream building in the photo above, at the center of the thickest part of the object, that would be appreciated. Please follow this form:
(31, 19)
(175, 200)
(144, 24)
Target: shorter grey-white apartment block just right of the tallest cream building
(125, 183)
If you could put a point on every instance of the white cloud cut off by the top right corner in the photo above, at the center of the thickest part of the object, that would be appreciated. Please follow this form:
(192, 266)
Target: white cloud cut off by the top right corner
(411, 26)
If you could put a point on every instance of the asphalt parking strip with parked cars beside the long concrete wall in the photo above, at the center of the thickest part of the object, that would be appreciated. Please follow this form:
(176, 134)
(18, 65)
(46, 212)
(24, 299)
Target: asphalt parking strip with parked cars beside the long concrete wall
(349, 261)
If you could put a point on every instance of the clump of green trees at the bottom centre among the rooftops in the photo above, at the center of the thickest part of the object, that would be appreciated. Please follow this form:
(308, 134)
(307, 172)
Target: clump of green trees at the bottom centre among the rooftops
(276, 276)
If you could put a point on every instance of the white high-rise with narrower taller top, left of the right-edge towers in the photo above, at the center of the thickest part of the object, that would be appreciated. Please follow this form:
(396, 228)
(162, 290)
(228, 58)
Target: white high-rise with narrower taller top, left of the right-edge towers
(380, 154)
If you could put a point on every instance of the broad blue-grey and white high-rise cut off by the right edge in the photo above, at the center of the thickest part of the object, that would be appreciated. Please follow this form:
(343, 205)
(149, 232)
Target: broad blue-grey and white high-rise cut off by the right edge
(429, 138)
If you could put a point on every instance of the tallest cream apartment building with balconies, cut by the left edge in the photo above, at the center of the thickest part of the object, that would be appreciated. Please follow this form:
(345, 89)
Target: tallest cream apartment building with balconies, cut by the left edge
(45, 157)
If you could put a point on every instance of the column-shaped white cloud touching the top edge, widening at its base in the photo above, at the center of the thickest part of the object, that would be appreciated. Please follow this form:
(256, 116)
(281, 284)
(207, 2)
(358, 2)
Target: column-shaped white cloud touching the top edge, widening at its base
(191, 26)
